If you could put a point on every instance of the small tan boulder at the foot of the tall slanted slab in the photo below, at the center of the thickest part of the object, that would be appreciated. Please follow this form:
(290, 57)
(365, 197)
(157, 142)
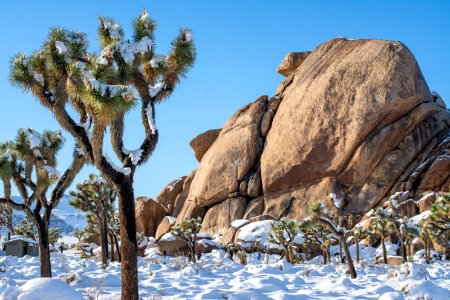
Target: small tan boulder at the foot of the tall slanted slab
(219, 216)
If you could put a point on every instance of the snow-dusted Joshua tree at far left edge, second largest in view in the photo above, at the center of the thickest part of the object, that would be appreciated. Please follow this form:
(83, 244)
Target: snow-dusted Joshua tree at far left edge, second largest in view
(31, 166)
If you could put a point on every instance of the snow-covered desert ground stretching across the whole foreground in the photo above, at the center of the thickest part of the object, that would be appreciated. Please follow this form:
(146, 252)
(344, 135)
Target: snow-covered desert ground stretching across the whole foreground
(217, 277)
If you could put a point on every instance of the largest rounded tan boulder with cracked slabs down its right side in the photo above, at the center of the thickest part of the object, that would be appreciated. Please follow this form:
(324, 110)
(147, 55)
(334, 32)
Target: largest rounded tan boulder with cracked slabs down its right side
(355, 114)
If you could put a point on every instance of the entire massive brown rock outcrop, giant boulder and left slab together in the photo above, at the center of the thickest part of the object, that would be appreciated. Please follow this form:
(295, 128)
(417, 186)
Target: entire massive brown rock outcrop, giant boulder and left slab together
(353, 117)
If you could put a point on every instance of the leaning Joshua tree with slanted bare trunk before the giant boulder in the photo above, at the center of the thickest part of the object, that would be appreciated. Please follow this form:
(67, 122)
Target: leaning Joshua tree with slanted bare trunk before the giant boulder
(321, 214)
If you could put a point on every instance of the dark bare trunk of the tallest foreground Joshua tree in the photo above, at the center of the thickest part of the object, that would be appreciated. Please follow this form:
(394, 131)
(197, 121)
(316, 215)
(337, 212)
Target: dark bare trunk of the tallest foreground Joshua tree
(128, 248)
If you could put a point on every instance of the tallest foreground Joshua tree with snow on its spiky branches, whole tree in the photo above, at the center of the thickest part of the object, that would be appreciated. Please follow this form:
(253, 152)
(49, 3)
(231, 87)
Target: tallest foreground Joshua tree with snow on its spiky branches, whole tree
(101, 89)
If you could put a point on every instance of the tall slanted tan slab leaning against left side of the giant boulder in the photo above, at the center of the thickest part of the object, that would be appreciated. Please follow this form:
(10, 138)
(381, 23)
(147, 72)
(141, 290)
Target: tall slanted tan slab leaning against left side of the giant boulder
(231, 157)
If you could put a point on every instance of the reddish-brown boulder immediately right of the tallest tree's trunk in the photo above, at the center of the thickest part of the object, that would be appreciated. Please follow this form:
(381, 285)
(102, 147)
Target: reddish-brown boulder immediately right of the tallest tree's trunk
(149, 214)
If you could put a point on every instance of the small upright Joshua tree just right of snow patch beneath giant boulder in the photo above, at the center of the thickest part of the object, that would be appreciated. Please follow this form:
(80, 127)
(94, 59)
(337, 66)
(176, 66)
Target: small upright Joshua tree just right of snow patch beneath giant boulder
(283, 234)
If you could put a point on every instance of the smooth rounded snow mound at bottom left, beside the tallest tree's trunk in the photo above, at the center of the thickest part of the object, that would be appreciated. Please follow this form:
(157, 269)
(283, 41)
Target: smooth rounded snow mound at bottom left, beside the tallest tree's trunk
(49, 289)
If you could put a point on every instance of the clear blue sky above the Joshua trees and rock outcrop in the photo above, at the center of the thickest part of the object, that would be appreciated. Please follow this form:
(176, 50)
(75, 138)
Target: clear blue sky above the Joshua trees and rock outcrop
(240, 44)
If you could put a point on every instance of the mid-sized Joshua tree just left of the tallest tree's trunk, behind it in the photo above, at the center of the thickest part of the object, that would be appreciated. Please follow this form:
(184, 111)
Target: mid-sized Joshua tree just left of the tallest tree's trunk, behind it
(96, 196)
